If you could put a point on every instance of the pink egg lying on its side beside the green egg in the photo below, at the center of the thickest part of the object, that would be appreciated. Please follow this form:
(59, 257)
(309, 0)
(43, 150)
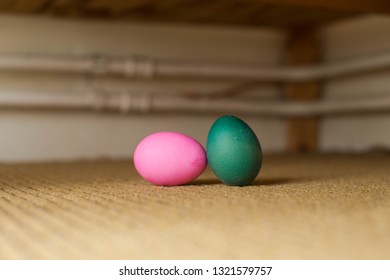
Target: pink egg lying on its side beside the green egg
(169, 158)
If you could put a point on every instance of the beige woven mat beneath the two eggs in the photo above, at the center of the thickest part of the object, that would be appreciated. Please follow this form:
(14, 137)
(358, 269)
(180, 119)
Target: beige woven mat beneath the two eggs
(301, 207)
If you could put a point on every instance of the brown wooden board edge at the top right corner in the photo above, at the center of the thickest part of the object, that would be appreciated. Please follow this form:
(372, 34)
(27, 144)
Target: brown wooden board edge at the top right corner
(364, 6)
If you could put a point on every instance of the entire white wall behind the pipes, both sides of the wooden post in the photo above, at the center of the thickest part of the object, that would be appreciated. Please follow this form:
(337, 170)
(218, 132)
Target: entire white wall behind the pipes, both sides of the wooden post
(49, 135)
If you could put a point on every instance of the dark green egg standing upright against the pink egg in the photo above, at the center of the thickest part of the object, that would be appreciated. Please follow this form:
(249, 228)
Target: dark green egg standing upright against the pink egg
(233, 151)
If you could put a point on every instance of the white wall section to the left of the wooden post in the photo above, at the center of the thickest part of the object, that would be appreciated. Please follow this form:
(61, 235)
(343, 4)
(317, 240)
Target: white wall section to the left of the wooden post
(37, 135)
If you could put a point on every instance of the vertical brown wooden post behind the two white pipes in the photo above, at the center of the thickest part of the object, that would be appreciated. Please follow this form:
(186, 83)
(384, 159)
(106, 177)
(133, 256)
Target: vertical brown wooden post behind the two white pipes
(302, 49)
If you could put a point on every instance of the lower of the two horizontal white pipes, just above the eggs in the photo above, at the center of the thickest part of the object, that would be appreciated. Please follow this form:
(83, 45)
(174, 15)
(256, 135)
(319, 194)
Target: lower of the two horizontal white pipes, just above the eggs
(125, 102)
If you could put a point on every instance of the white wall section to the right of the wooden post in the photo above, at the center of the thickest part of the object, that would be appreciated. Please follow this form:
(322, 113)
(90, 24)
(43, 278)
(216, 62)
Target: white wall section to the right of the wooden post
(346, 40)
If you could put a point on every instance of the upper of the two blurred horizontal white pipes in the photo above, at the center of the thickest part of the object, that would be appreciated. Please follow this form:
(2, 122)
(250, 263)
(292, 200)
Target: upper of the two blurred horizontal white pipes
(133, 66)
